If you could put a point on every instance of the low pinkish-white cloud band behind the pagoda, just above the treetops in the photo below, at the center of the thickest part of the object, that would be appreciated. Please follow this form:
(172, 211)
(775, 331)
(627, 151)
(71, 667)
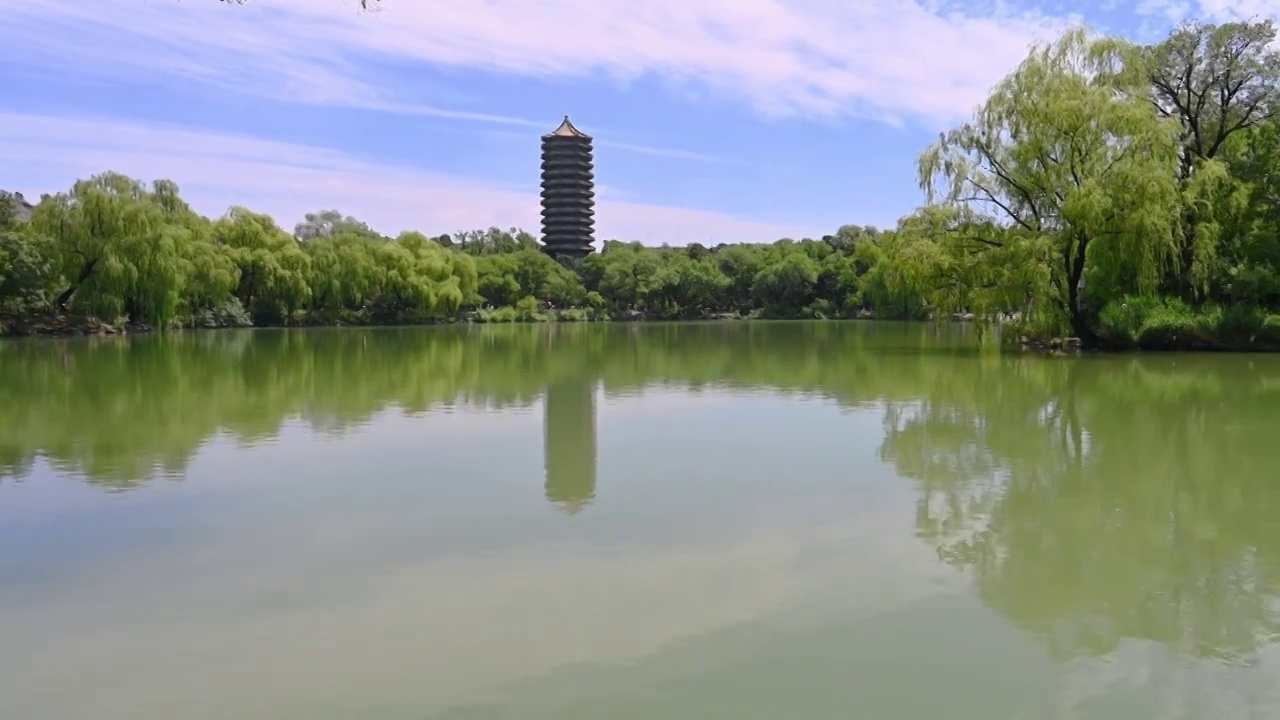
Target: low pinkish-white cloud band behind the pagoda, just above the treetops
(45, 154)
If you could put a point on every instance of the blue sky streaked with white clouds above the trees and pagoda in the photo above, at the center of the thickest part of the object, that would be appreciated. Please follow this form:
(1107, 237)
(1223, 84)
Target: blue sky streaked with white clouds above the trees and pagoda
(716, 121)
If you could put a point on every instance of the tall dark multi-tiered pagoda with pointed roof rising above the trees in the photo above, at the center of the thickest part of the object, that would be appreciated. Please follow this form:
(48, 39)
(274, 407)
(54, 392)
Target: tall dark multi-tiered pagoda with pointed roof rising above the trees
(569, 193)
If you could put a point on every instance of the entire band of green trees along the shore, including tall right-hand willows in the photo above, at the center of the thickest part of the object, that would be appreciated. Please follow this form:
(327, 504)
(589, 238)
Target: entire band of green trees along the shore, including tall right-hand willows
(1117, 193)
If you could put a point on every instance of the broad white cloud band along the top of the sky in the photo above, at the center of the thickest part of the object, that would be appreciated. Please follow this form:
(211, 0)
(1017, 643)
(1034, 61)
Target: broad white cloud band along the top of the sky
(886, 58)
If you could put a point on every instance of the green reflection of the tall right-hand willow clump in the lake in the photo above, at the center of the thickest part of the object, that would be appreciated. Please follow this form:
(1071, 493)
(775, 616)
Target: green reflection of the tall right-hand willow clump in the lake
(1105, 500)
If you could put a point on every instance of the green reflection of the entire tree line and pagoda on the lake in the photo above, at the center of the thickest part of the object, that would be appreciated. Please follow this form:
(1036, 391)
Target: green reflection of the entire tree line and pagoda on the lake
(1092, 502)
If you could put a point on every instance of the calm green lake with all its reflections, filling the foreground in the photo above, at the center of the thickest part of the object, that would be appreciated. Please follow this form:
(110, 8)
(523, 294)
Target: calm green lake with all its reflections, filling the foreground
(634, 522)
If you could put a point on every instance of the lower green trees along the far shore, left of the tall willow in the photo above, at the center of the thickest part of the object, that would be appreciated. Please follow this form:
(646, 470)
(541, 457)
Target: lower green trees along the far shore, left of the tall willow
(116, 249)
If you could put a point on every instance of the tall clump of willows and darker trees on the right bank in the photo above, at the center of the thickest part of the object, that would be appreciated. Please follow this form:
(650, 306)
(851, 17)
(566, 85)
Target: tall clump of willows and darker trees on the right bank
(1118, 193)
